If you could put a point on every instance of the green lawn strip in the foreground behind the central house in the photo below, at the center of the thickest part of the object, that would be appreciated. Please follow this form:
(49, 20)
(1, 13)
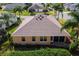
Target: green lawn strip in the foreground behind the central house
(24, 51)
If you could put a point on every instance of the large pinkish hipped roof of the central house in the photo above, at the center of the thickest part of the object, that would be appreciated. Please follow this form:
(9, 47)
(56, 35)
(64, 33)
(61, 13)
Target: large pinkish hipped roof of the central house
(34, 26)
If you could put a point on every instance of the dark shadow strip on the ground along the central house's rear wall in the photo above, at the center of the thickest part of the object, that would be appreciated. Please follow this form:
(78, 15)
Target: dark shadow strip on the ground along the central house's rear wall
(32, 47)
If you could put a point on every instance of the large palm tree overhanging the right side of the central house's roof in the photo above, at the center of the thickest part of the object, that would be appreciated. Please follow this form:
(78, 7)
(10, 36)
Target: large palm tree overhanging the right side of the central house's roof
(73, 24)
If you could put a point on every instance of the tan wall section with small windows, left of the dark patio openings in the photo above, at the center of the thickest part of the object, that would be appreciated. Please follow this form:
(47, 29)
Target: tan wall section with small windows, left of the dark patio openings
(28, 40)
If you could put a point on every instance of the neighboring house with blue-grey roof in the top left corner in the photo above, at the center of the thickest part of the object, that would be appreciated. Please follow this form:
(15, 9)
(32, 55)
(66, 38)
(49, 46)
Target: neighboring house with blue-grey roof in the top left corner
(12, 6)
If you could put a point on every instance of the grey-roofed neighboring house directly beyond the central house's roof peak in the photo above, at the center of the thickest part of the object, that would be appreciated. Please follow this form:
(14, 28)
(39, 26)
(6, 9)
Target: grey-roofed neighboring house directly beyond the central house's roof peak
(36, 7)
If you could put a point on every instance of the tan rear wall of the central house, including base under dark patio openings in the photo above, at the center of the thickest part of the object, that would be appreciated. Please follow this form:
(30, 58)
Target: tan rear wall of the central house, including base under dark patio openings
(28, 40)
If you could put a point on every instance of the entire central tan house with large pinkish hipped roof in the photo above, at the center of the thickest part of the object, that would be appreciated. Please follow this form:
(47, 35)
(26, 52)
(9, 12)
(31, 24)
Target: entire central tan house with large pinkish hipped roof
(41, 30)
